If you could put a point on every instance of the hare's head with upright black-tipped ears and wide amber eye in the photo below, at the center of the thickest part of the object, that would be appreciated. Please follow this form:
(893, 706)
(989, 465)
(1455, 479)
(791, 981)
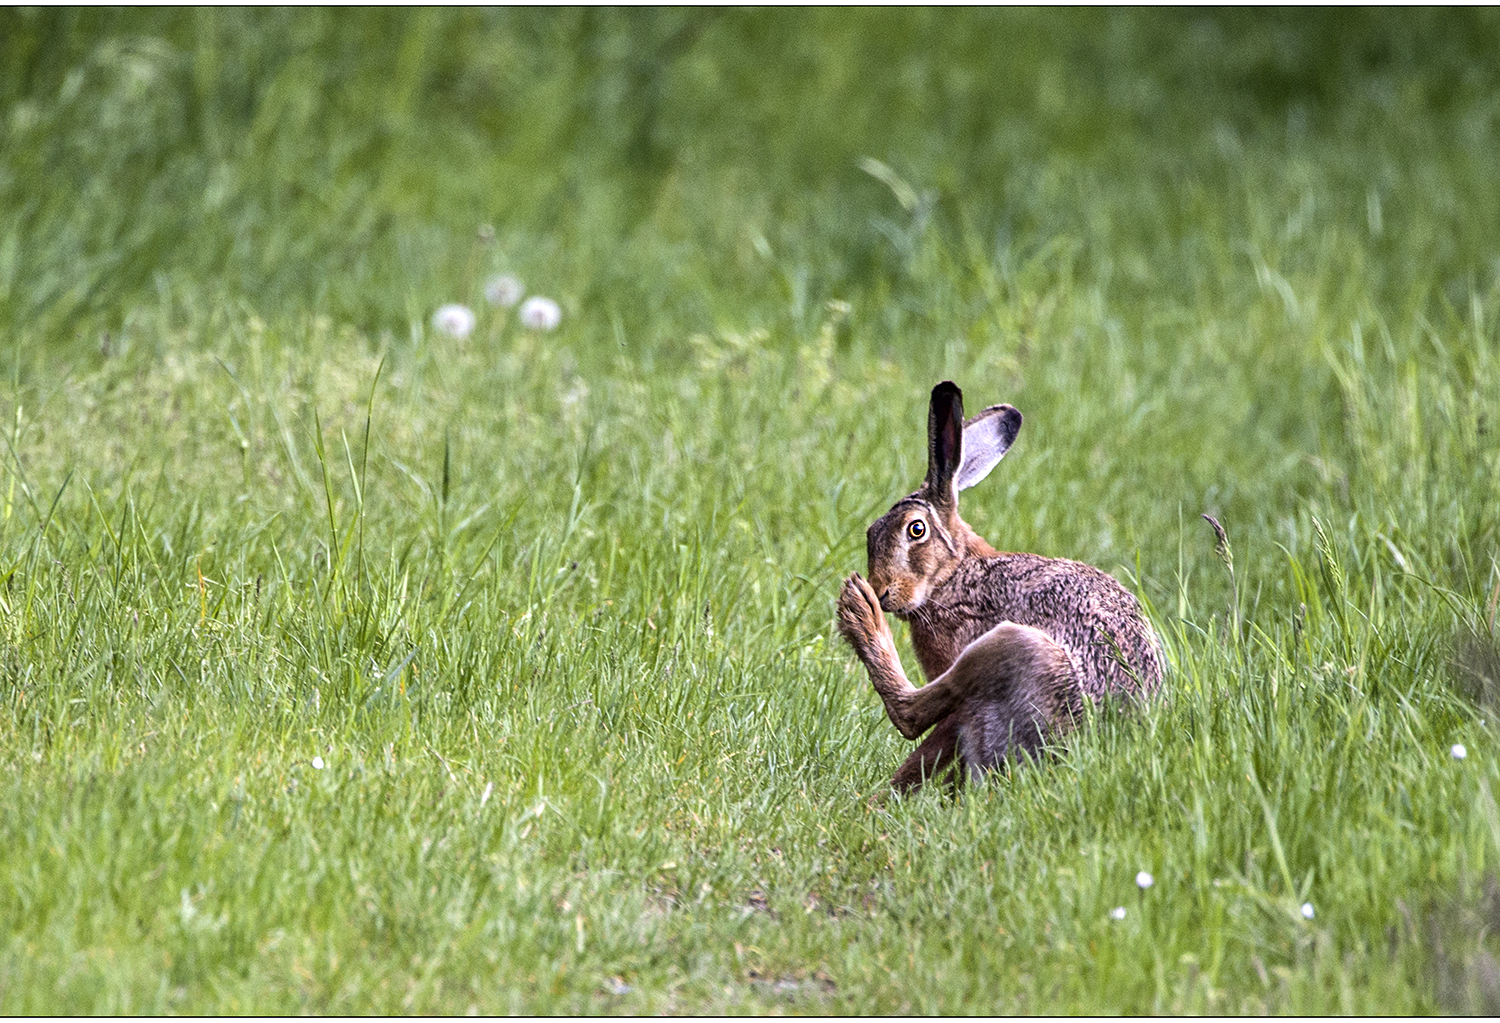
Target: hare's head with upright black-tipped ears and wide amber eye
(920, 542)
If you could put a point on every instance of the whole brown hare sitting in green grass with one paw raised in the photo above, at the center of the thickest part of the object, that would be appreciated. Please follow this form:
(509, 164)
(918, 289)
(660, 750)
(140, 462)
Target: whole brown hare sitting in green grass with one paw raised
(1013, 643)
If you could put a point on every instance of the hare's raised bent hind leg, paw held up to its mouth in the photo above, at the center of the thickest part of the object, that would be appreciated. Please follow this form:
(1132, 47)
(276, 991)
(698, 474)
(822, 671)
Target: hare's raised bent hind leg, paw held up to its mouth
(1010, 664)
